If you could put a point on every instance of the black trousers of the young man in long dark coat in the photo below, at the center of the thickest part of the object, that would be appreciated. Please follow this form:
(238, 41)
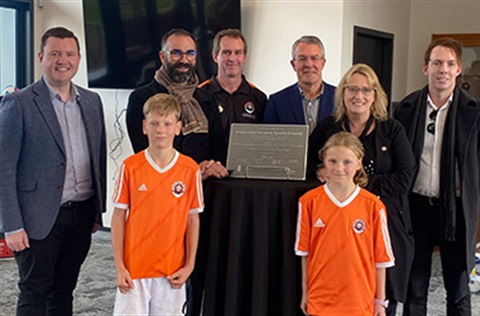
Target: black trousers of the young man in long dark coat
(425, 220)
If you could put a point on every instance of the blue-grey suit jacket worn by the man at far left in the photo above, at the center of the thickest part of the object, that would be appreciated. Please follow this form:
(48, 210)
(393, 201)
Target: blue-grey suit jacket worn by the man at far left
(33, 159)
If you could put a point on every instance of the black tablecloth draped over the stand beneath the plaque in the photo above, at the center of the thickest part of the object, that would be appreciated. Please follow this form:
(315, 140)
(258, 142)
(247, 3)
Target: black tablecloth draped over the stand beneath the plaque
(250, 264)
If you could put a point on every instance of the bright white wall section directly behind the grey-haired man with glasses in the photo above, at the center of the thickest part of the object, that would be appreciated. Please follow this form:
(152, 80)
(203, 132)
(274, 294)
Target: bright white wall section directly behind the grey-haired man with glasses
(271, 27)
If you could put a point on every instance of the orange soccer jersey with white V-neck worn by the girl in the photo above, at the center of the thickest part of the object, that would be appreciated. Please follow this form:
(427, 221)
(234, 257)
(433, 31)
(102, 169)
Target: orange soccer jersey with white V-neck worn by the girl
(345, 242)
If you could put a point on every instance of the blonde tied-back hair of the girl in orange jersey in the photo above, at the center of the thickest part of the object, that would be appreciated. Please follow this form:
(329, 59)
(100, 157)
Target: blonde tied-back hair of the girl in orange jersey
(350, 141)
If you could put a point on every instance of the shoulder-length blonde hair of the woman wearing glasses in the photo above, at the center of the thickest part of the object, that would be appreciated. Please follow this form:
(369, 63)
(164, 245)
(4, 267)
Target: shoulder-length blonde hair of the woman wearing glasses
(379, 106)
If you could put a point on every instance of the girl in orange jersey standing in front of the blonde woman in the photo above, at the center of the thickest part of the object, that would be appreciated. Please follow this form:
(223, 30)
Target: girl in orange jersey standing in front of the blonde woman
(342, 236)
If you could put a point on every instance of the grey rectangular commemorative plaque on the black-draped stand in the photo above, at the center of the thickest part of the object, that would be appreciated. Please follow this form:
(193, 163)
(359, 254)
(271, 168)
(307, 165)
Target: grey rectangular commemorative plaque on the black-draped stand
(268, 151)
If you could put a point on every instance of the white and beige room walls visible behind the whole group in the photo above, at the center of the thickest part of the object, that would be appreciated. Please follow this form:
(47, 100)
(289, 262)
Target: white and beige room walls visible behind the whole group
(272, 26)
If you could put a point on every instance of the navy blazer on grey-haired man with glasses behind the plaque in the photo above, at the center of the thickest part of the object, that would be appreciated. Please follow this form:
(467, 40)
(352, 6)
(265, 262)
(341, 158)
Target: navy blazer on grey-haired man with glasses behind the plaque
(285, 106)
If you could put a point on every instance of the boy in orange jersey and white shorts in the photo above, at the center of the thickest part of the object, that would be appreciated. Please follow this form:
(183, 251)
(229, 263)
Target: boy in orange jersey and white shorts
(155, 224)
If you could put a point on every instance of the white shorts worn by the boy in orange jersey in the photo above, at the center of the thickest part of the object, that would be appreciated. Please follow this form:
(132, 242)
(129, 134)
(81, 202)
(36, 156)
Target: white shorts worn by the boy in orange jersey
(153, 296)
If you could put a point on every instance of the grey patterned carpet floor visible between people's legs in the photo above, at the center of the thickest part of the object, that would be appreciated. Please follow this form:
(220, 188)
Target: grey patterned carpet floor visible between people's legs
(95, 291)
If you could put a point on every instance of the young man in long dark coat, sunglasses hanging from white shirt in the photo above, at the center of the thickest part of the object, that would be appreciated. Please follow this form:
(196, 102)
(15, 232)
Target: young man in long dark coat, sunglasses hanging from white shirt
(443, 126)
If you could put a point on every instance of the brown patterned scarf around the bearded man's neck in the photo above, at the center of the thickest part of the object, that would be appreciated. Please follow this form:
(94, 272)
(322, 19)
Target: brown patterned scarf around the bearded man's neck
(193, 118)
